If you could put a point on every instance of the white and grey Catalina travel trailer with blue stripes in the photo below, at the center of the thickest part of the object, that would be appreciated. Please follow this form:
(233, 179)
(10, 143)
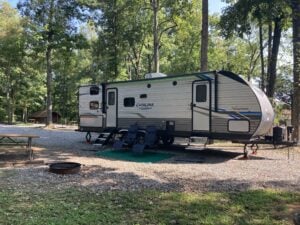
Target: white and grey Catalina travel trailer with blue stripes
(217, 105)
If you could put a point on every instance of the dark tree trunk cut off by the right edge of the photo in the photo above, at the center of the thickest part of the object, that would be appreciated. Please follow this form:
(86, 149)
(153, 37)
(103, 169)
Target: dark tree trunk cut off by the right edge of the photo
(296, 51)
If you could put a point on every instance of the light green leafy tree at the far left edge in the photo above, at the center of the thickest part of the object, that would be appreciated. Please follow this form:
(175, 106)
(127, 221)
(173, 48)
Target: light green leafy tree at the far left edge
(11, 54)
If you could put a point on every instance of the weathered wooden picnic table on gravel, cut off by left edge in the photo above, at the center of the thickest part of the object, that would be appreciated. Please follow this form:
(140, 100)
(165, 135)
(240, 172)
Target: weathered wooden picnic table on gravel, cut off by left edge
(13, 140)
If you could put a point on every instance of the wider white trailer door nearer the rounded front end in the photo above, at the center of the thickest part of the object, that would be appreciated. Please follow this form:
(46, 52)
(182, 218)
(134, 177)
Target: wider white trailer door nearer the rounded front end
(201, 106)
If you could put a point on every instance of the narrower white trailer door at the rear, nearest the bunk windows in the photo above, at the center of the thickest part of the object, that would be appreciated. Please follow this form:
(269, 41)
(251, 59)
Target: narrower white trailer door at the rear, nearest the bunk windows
(111, 109)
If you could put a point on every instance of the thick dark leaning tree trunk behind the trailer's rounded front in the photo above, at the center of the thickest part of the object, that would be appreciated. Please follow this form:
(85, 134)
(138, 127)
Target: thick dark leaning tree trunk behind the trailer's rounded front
(274, 56)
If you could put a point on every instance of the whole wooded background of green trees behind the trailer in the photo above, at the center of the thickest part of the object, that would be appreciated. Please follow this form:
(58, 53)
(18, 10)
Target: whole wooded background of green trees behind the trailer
(48, 48)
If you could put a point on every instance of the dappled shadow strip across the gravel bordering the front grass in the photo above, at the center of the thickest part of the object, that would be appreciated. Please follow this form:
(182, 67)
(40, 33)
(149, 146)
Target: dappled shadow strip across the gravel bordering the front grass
(98, 178)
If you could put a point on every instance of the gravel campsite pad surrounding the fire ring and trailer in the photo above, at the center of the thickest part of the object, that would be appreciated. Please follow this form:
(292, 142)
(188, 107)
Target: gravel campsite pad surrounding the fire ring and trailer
(219, 169)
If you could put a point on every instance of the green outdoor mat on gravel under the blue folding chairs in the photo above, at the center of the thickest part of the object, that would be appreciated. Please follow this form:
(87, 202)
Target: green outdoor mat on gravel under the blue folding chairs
(128, 155)
